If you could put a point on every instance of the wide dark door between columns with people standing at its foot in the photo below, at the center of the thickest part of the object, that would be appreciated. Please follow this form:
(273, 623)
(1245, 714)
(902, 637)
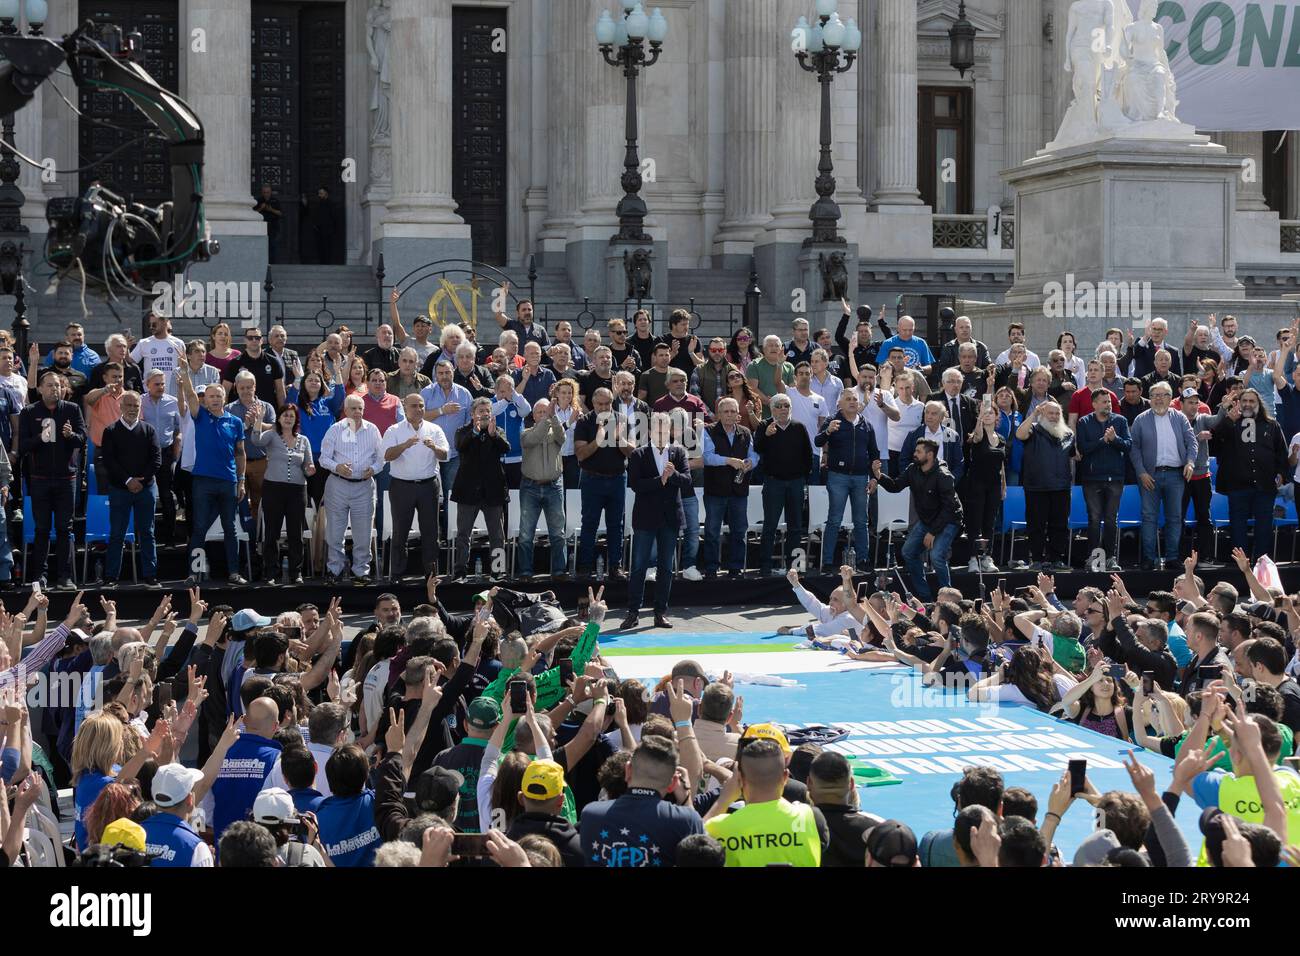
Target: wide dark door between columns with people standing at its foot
(298, 115)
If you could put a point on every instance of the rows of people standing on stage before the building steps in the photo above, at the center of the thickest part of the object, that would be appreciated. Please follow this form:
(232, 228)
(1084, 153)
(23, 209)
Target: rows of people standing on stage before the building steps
(327, 447)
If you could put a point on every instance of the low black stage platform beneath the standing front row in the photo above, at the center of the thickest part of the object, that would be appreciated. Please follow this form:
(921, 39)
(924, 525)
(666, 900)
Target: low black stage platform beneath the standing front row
(137, 602)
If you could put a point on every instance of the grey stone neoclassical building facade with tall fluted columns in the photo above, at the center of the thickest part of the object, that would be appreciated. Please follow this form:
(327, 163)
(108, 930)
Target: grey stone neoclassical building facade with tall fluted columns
(493, 131)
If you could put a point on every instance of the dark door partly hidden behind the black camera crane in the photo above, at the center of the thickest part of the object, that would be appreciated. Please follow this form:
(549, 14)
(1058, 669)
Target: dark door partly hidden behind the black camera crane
(138, 171)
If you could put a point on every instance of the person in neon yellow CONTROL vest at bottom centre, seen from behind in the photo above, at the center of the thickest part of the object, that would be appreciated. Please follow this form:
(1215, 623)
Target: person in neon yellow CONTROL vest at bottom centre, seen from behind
(768, 829)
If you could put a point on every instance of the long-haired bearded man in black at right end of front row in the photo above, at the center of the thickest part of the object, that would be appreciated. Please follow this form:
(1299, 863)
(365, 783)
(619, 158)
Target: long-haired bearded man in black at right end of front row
(1253, 461)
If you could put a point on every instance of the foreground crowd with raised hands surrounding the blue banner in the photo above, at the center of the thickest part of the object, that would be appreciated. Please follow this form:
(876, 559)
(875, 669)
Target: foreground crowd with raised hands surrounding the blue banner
(497, 734)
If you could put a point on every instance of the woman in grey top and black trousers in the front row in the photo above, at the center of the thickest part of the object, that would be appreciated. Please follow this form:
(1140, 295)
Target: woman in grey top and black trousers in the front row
(284, 491)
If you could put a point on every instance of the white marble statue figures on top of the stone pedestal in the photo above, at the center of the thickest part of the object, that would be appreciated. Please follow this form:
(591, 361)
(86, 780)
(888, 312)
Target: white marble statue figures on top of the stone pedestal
(1124, 86)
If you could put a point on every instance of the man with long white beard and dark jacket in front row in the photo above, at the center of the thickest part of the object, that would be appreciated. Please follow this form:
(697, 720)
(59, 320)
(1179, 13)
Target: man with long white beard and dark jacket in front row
(1047, 478)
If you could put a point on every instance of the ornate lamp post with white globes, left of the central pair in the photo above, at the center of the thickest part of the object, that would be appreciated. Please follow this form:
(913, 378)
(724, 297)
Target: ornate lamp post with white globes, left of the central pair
(623, 44)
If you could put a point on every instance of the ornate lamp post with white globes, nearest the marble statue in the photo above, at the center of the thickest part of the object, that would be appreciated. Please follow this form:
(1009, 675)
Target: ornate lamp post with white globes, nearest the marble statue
(826, 49)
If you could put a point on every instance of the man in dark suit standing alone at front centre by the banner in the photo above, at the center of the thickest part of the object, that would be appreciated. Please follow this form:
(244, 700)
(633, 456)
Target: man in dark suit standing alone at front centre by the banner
(658, 475)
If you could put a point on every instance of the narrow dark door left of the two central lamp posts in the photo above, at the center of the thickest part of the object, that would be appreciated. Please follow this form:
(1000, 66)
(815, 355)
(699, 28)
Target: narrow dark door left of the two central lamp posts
(479, 129)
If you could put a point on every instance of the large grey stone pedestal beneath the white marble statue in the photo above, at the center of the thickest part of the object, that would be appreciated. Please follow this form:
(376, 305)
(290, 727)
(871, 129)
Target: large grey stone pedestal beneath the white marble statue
(1116, 232)
